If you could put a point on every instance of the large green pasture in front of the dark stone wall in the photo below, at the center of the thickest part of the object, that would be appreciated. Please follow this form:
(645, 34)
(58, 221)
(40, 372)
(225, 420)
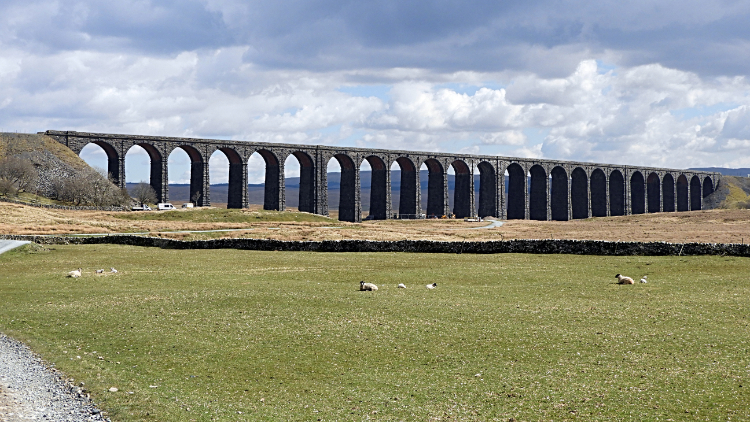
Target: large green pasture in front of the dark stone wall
(287, 336)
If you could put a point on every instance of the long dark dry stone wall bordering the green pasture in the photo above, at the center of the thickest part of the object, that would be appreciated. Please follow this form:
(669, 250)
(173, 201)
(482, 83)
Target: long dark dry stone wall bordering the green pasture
(574, 247)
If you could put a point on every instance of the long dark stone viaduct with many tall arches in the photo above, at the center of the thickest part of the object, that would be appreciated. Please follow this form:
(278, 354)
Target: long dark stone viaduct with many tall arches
(509, 188)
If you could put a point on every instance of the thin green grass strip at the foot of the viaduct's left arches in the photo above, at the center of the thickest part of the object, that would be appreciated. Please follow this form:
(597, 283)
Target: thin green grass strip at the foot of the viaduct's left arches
(218, 215)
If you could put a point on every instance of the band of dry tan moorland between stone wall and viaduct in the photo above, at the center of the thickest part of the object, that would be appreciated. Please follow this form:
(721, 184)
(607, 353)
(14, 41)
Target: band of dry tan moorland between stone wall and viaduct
(719, 226)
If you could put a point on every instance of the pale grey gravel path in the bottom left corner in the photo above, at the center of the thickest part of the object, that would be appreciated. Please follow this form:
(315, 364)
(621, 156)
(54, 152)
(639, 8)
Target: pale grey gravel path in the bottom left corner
(31, 391)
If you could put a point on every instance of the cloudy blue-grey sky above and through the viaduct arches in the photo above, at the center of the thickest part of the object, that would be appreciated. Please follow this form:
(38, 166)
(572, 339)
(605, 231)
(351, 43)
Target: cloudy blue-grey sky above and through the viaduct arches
(646, 83)
